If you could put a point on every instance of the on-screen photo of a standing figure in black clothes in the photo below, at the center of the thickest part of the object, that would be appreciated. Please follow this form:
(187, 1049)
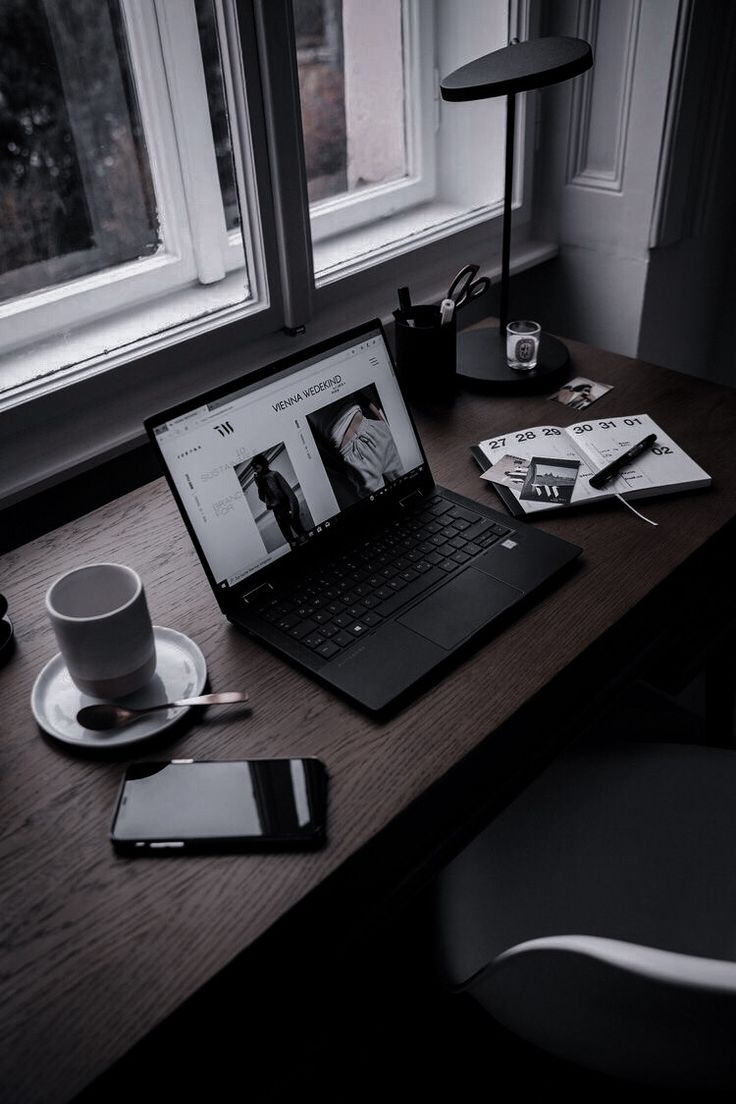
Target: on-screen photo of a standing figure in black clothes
(275, 498)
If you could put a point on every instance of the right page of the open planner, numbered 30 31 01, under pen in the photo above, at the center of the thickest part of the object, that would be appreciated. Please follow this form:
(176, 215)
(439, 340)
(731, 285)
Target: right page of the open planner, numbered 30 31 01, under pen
(664, 468)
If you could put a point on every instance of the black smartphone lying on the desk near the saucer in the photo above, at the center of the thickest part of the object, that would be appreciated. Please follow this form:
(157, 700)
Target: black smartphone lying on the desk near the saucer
(206, 805)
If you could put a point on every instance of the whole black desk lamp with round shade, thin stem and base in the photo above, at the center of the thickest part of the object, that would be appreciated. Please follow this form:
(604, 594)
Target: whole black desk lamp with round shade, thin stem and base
(518, 68)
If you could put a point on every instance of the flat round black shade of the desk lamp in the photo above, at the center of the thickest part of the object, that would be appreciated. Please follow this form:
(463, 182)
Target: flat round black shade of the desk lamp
(519, 68)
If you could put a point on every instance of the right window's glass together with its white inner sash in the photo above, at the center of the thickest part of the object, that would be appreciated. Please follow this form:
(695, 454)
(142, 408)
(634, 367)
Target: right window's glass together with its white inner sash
(366, 76)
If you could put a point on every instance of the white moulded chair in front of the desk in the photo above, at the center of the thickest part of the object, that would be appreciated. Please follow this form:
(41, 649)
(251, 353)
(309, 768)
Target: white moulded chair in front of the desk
(596, 917)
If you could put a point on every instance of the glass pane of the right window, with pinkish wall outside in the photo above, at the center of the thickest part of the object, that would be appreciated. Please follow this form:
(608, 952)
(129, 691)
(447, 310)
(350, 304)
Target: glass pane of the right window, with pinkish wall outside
(351, 79)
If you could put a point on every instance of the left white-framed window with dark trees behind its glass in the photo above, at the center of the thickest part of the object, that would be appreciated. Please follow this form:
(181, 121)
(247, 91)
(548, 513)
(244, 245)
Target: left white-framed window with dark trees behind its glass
(121, 177)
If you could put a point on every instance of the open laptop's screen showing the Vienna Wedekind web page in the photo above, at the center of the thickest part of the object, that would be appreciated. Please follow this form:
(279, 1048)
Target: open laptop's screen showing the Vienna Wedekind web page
(264, 468)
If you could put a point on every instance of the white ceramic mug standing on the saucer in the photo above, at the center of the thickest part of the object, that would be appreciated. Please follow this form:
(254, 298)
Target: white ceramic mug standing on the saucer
(103, 628)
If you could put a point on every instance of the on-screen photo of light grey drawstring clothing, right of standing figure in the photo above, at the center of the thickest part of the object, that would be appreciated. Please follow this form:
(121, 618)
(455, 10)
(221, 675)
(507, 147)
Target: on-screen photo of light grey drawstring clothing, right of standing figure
(356, 444)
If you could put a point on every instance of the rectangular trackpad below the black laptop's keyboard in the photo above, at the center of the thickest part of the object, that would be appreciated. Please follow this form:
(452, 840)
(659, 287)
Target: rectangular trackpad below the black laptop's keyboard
(452, 614)
